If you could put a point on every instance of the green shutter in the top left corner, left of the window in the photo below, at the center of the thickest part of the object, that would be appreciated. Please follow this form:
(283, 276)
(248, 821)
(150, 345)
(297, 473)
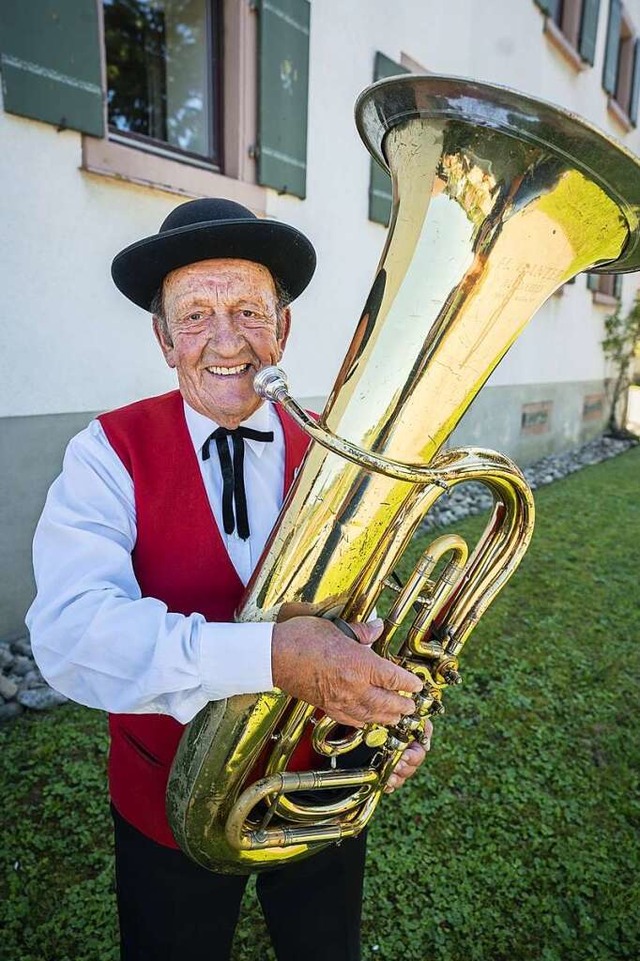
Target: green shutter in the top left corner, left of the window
(50, 62)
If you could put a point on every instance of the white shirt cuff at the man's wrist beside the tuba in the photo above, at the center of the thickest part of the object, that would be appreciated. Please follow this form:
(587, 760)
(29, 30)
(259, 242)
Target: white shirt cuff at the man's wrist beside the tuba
(235, 659)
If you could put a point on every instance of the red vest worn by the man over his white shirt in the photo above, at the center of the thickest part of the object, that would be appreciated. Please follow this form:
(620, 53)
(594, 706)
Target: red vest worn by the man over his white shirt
(179, 558)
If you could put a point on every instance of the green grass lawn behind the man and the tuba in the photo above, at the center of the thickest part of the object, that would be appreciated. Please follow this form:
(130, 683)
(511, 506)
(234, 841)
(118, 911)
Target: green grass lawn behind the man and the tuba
(518, 839)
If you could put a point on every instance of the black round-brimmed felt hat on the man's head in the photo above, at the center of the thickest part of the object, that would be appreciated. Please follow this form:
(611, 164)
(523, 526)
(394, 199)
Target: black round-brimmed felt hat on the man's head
(209, 228)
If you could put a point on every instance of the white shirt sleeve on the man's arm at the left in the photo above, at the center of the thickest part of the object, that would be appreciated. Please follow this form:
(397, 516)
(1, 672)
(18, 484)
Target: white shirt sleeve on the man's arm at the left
(94, 637)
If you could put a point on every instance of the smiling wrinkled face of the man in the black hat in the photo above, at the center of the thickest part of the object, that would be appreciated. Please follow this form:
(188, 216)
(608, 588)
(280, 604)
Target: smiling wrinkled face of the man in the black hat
(223, 327)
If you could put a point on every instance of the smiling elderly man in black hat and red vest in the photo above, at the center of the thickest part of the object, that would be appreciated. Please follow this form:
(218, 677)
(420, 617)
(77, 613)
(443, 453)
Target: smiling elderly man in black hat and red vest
(146, 541)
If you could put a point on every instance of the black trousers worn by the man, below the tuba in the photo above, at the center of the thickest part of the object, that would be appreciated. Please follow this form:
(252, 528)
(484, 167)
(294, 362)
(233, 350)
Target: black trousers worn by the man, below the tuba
(171, 909)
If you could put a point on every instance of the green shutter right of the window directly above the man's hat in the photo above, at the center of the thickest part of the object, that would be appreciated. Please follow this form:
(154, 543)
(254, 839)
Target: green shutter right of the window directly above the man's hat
(284, 83)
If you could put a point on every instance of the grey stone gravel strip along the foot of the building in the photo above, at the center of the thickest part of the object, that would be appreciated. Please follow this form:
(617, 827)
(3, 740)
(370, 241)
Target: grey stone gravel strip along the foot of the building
(23, 688)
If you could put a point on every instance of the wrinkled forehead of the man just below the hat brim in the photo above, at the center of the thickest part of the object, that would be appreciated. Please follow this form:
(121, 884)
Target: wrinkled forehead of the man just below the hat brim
(220, 278)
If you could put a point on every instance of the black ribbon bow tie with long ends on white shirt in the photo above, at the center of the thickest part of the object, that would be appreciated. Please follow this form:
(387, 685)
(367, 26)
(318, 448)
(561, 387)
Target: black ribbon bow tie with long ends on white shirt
(233, 491)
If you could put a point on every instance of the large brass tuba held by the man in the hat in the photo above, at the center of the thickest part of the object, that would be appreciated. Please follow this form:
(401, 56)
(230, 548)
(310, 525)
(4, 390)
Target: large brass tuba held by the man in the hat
(498, 200)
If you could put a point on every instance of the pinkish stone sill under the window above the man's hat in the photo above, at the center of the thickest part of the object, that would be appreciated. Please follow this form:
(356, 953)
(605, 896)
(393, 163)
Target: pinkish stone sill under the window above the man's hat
(111, 159)
